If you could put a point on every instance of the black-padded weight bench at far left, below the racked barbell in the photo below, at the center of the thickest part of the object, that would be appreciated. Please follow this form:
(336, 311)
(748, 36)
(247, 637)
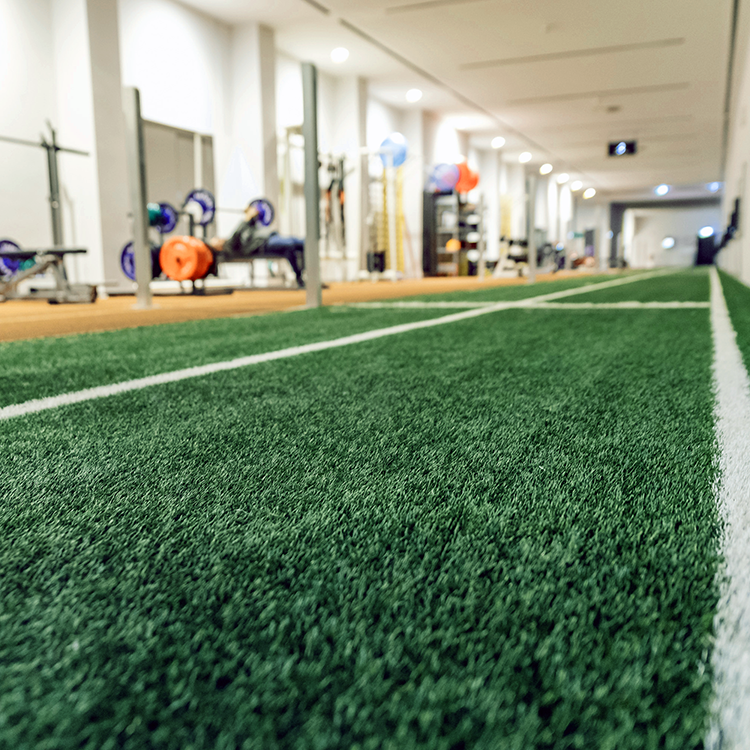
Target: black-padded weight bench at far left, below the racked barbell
(46, 259)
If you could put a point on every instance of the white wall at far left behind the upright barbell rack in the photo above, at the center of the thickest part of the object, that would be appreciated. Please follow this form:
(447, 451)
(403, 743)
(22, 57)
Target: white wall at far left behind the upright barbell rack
(27, 98)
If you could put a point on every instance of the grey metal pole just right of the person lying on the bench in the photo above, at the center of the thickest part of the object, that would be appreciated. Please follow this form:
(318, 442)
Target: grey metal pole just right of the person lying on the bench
(313, 293)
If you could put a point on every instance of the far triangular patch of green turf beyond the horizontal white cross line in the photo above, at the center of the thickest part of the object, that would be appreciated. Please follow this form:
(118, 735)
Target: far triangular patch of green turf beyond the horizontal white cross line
(684, 286)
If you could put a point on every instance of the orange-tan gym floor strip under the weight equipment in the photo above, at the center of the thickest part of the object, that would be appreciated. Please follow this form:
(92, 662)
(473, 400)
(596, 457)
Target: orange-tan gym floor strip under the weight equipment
(24, 319)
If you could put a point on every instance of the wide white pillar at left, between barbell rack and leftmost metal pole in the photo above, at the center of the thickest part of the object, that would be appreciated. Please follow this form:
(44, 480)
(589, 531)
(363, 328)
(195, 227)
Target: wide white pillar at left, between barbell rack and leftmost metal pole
(89, 117)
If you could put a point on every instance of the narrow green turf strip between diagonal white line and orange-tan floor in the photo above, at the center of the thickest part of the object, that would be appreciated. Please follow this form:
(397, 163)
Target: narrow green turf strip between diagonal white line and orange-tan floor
(45, 367)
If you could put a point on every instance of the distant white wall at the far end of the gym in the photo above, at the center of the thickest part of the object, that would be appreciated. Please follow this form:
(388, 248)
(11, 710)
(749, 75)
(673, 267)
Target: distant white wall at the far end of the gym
(646, 228)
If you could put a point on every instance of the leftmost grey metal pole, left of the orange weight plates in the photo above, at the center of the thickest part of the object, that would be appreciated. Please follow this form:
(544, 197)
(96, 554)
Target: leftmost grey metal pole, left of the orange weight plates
(131, 103)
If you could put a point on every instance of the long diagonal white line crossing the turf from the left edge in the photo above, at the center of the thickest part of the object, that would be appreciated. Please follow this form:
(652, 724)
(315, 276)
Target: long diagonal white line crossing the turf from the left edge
(102, 391)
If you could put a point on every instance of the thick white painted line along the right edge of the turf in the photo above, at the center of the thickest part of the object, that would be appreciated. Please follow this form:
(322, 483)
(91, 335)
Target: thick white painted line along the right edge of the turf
(730, 727)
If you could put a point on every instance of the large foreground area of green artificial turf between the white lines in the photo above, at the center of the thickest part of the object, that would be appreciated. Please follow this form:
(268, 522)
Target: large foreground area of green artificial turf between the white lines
(499, 533)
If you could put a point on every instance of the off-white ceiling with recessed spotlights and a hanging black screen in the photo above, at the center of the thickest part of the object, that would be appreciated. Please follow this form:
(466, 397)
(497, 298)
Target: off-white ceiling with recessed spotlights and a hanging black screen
(561, 80)
